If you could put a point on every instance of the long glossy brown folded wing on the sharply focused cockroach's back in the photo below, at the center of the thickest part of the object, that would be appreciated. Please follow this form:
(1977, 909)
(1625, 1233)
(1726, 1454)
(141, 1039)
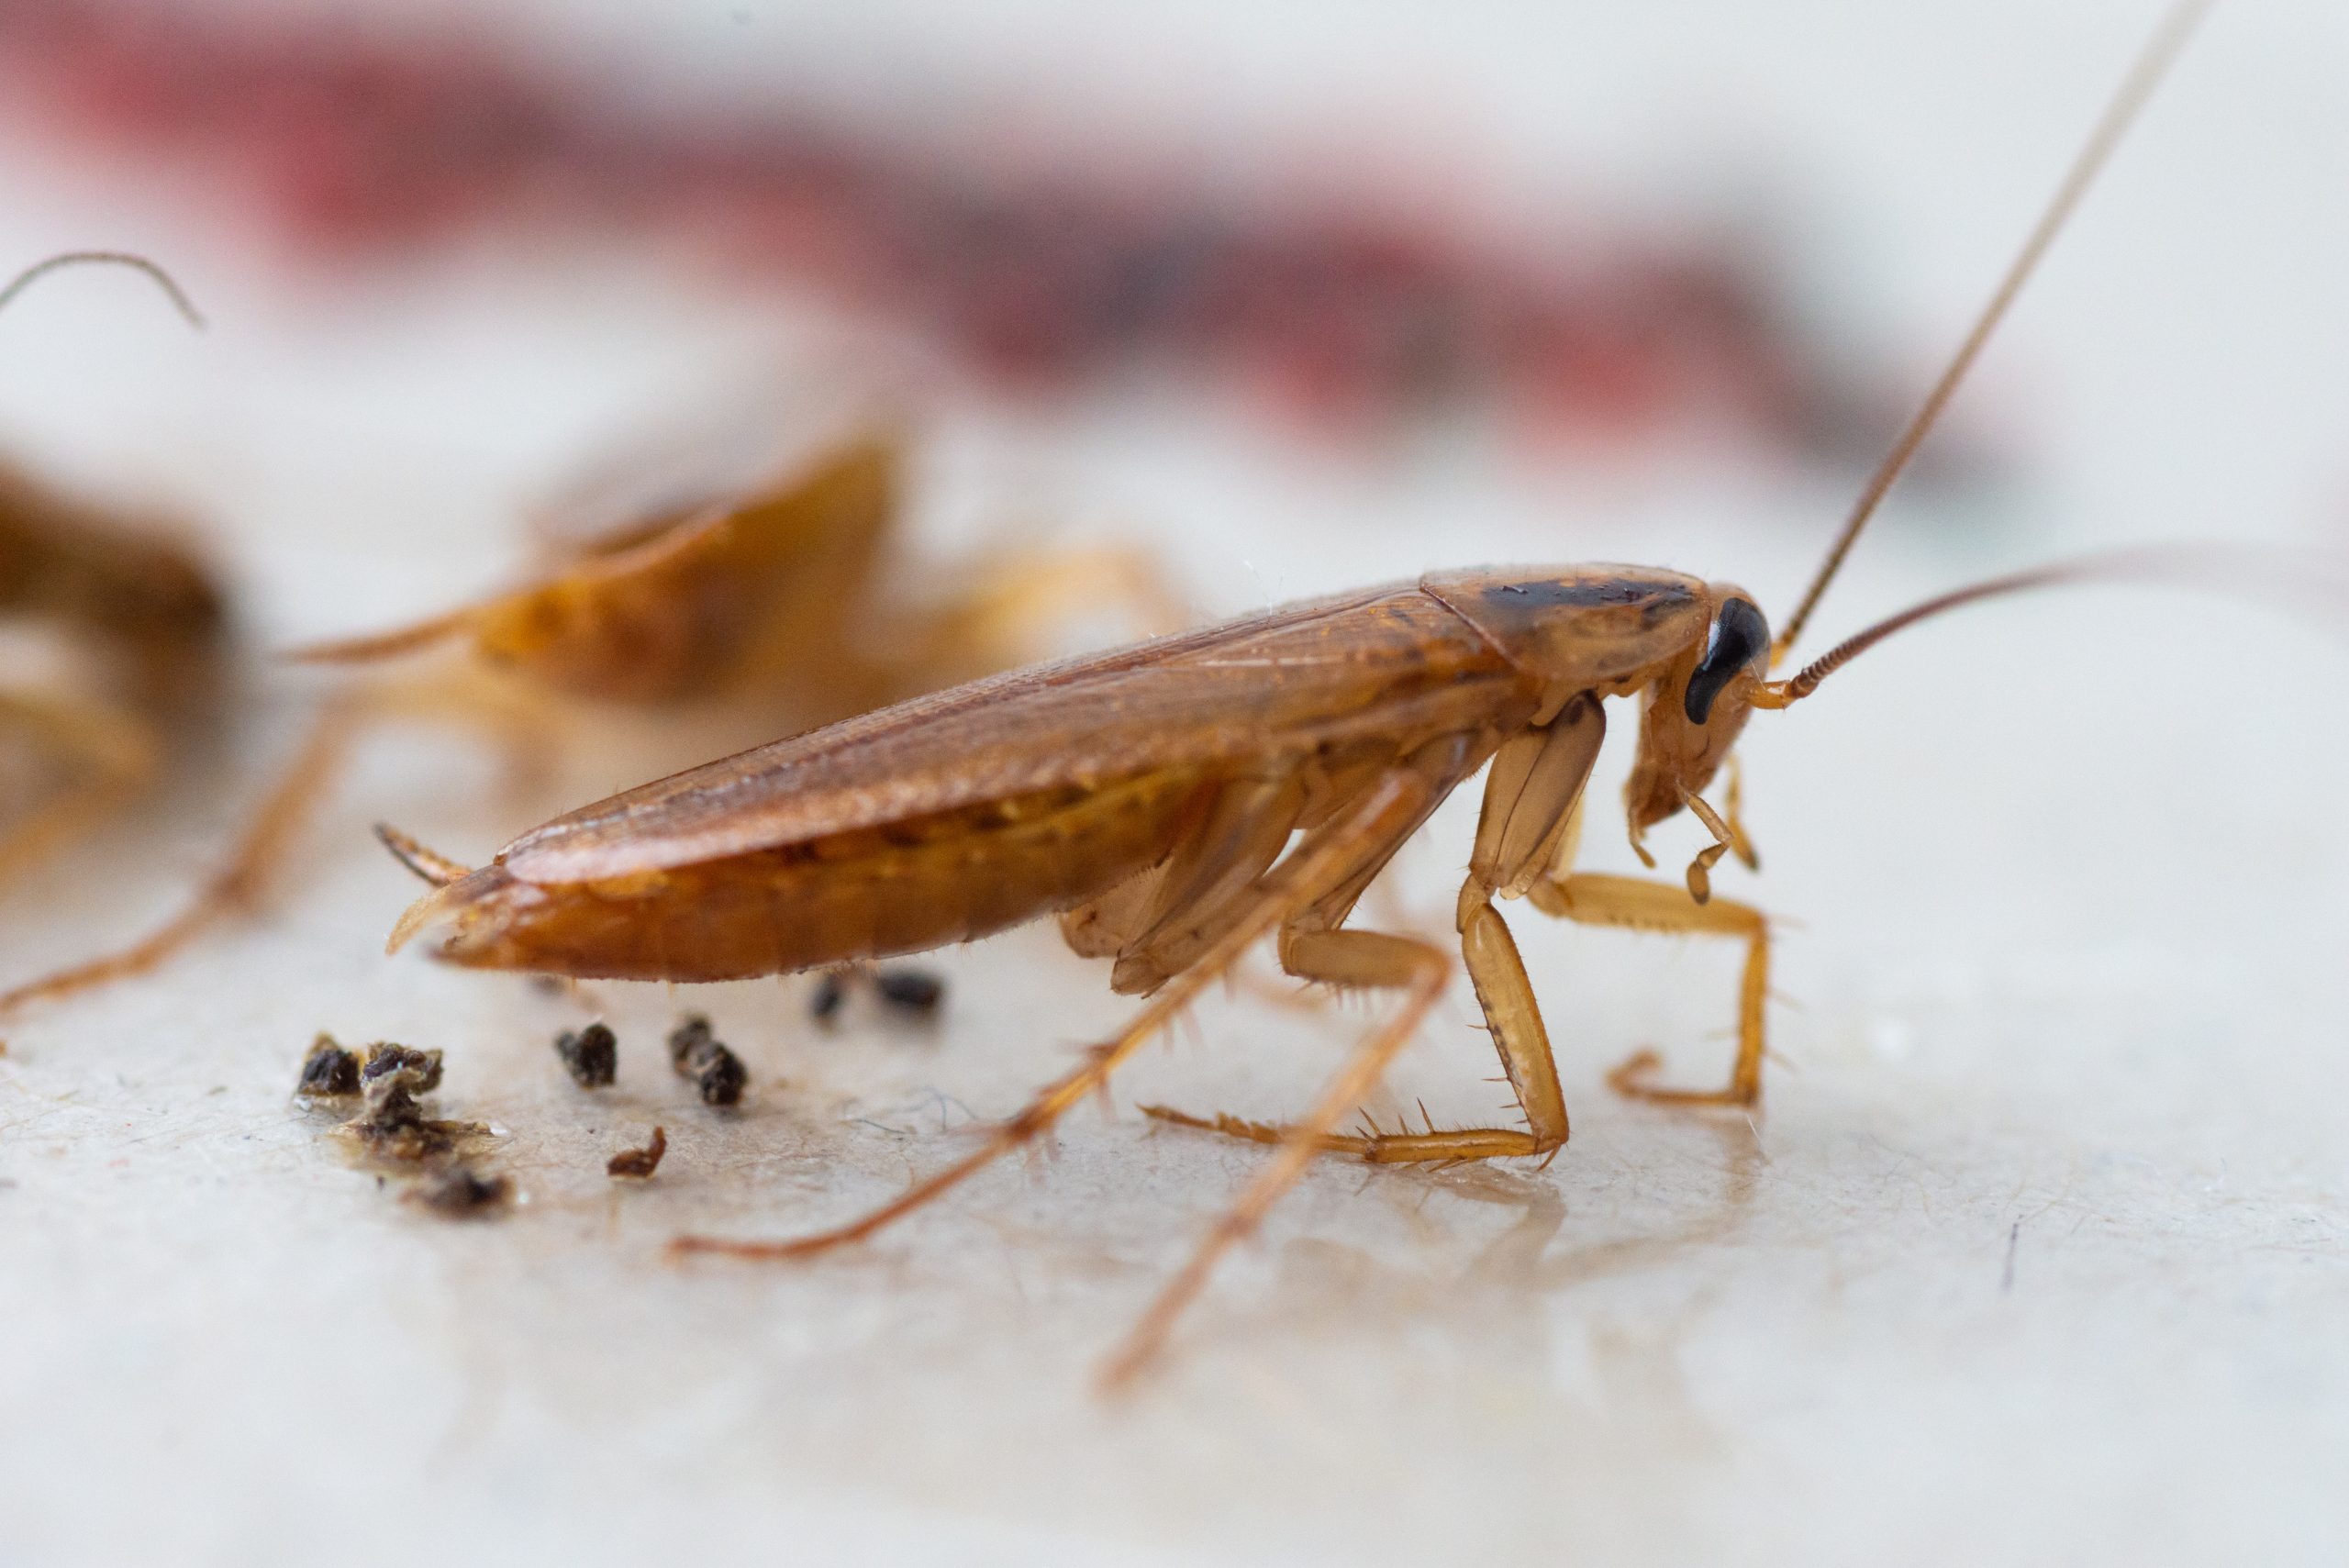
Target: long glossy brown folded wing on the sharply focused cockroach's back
(1387, 663)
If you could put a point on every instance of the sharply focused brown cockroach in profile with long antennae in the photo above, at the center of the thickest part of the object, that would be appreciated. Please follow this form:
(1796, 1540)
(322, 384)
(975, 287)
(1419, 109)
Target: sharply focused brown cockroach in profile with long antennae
(1150, 799)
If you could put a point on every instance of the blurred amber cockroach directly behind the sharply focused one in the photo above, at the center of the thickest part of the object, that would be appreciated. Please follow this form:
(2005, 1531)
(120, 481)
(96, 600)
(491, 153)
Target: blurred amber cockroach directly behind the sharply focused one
(739, 581)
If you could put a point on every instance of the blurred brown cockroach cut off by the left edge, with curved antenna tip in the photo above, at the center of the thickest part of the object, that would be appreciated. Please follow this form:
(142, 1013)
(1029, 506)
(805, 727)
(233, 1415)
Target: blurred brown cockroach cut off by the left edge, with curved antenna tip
(112, 642)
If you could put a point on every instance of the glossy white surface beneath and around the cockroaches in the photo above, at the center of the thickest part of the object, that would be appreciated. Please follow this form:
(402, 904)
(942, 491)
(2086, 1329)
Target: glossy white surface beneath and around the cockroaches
(2038, 1257)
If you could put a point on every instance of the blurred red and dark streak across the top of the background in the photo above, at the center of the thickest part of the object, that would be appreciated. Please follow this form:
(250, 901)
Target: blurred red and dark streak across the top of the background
(1340, 313)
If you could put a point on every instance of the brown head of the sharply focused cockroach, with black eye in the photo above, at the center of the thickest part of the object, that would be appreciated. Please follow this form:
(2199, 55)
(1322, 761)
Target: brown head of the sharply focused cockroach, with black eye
(1697, 710)
